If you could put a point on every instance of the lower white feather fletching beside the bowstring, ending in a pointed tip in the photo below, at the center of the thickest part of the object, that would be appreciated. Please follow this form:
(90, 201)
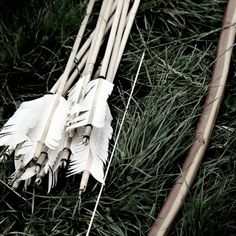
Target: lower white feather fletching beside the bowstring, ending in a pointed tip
(93, 156)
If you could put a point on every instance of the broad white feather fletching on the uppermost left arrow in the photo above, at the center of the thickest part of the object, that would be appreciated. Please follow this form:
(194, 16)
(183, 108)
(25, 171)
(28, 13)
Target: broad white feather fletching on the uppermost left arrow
(28, 122)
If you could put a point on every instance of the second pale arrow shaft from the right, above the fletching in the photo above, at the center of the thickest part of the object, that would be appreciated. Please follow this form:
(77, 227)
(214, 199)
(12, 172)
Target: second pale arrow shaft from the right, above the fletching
(119, 34)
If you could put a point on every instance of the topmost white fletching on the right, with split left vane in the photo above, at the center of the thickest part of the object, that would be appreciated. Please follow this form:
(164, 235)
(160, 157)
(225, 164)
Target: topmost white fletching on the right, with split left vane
(91, 110)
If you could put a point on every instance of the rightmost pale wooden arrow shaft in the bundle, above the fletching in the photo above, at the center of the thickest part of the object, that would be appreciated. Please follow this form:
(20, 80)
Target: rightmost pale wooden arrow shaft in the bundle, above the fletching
(126, 34)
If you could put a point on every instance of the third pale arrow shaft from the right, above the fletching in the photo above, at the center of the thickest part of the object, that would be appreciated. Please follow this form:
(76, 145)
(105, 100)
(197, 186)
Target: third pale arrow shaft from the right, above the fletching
(111, 39)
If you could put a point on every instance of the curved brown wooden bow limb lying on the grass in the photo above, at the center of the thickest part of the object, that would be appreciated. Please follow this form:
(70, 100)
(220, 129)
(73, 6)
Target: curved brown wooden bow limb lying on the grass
(205, 127)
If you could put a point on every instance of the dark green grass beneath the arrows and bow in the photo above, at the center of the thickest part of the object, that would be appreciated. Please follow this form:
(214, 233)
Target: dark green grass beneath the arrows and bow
(180, 39)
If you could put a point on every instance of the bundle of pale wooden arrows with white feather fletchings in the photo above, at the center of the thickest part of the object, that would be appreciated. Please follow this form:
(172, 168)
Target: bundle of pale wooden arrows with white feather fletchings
(71, 126)
